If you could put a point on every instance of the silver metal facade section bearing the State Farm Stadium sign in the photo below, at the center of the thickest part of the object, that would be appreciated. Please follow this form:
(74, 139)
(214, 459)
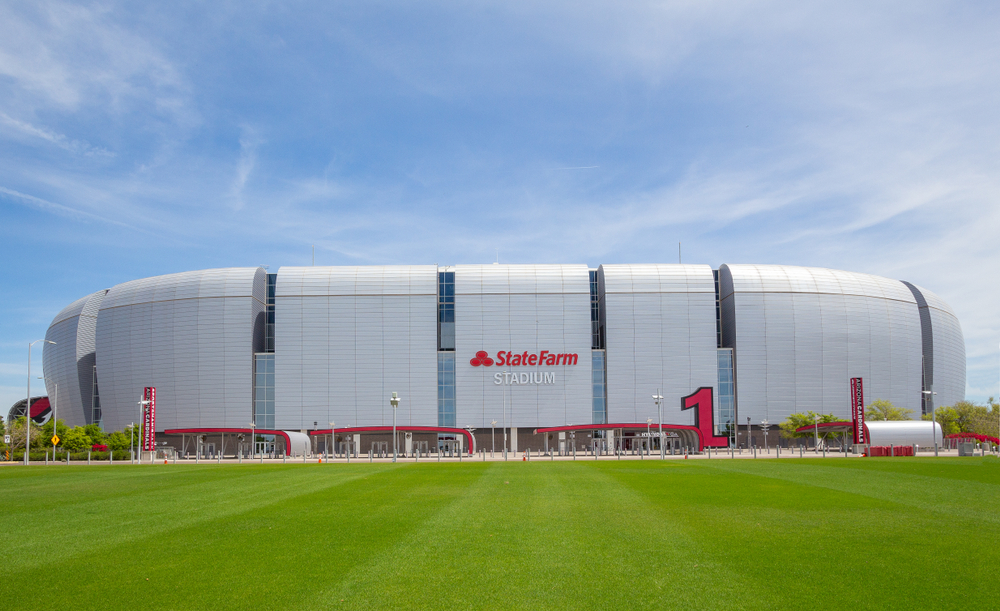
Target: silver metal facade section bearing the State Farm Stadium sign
(523, 308)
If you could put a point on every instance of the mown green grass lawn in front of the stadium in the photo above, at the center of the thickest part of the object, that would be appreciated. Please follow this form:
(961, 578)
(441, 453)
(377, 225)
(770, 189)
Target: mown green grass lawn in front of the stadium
(701, 534)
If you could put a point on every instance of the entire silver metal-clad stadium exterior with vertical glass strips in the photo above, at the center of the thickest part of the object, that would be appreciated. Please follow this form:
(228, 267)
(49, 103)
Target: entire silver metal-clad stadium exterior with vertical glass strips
(530, 346)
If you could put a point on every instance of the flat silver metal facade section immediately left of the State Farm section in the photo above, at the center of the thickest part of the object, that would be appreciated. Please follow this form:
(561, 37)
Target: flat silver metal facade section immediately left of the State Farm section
(347, 337)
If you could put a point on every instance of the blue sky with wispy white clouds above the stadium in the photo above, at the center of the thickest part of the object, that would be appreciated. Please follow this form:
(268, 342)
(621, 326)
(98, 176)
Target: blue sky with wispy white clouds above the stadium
(139, 139)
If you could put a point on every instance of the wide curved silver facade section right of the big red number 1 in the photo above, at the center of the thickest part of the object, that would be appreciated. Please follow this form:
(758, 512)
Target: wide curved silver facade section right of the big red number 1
(800, 335)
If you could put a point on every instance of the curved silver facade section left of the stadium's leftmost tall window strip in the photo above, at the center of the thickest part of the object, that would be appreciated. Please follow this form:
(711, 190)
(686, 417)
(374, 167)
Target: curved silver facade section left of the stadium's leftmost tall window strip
(191, 335)
